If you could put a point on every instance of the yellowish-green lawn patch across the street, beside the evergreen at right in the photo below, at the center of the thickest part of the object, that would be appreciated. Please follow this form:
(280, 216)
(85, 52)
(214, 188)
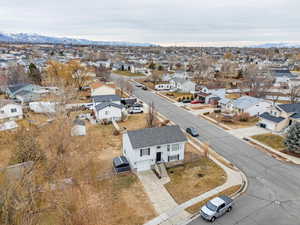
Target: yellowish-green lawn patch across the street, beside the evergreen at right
(272, 140)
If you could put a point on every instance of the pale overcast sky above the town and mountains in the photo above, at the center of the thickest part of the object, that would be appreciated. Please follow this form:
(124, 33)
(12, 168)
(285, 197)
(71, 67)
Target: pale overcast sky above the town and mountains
(156, 21)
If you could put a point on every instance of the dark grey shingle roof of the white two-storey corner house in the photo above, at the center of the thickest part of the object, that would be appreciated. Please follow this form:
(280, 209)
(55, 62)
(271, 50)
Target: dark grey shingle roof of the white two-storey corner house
(156, 136)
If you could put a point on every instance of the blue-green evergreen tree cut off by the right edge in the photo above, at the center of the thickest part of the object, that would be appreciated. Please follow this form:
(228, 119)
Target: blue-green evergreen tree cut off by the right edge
(292, 141)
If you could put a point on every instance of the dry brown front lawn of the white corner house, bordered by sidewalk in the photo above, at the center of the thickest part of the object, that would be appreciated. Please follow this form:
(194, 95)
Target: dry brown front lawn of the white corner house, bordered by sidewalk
(197, 176)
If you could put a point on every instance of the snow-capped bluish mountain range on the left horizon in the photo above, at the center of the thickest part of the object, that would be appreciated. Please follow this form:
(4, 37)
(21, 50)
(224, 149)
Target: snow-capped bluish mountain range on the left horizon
(41, 39)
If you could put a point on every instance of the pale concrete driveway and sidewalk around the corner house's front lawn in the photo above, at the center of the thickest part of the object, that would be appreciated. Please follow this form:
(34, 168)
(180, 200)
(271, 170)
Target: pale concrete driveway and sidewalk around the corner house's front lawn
(170, 212)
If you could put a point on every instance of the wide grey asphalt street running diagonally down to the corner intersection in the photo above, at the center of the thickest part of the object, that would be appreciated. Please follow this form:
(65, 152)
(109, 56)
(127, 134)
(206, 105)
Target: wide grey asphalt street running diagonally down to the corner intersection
(273, 194)
